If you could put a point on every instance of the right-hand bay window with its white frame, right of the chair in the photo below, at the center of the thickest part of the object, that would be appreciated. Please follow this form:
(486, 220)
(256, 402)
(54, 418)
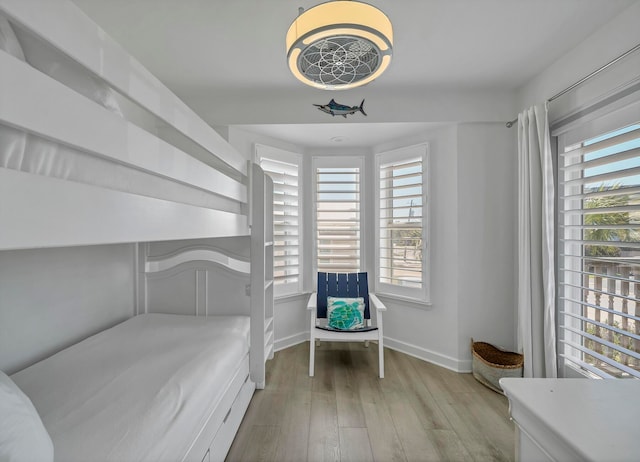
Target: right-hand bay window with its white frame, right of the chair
(402, 219)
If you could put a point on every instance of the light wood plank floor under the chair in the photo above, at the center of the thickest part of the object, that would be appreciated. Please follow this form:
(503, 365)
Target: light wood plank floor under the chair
(418, 412)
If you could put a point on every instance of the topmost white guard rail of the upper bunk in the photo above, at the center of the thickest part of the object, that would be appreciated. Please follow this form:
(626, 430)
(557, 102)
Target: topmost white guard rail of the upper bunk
(65, 27)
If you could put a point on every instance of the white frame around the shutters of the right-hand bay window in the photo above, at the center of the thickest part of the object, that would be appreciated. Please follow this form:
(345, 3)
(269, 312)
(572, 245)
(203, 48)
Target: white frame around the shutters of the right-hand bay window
(422, 294)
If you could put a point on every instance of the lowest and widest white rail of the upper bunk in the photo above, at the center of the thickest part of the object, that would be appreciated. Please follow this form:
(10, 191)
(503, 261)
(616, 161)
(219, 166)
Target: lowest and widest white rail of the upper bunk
(107, 216)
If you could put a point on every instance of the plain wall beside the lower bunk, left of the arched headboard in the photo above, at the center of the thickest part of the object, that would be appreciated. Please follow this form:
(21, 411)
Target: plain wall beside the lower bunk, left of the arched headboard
(52, 298)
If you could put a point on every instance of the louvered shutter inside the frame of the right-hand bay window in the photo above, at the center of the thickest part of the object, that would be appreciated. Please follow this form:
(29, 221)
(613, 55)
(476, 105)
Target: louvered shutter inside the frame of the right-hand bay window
(401, 223)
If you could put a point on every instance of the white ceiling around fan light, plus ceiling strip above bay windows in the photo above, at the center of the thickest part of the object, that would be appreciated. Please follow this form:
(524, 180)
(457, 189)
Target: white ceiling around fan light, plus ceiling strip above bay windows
(211, 48)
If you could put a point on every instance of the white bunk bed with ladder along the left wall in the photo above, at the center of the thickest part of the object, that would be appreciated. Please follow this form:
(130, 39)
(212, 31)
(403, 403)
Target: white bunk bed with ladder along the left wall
(95, 150)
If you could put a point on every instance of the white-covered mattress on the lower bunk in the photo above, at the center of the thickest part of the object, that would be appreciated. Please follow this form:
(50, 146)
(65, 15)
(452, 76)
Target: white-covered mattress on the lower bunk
(138, 391)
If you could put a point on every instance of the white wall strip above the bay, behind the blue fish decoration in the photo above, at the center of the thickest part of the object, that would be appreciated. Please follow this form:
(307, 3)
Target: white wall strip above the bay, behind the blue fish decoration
(407, 104)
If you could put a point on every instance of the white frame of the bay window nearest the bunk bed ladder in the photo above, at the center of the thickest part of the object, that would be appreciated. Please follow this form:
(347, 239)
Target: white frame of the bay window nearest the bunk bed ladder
(261, 151)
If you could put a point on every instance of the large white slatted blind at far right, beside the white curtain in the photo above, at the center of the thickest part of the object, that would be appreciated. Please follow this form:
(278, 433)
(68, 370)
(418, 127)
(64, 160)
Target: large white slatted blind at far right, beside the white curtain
(599, 253)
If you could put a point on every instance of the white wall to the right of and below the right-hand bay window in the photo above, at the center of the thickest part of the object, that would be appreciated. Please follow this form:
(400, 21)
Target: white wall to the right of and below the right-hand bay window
(431, 332)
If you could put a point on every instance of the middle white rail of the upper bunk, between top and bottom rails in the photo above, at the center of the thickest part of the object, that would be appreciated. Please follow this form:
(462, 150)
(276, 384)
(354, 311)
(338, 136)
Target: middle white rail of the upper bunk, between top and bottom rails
(33, 102)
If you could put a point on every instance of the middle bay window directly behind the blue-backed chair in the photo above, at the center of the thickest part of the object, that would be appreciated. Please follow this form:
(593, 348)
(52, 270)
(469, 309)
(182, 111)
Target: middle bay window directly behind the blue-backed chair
(337, 182)
